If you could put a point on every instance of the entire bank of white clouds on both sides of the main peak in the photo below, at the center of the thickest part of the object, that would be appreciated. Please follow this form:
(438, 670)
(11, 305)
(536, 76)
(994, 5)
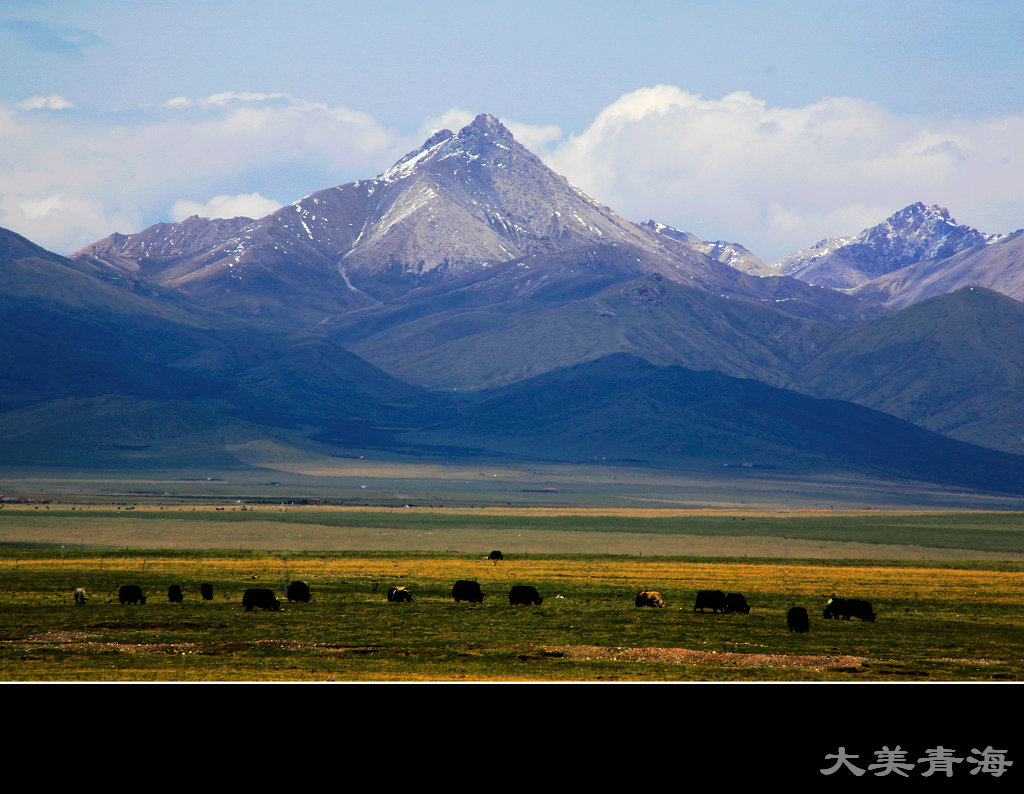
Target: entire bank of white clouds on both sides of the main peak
(776, 180)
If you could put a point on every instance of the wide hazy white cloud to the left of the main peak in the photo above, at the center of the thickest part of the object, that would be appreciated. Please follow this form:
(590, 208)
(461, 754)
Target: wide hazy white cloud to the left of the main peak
(67, 182)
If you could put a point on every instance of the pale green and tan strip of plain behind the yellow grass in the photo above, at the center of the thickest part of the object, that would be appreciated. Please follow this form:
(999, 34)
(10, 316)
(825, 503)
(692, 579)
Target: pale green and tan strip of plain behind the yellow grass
(812, 534)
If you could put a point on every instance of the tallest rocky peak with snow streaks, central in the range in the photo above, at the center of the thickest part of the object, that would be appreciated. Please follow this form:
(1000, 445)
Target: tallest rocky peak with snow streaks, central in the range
(459, 203)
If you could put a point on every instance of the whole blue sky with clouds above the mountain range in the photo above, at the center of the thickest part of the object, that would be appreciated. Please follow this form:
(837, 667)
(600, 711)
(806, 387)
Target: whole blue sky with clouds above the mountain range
(773, 124)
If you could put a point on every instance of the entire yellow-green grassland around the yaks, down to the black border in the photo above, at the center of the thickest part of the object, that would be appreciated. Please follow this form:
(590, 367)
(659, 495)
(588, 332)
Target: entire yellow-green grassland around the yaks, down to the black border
(944, 614)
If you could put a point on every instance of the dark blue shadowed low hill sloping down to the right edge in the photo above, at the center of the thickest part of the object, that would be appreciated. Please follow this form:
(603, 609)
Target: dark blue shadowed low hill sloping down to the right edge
(623, 408)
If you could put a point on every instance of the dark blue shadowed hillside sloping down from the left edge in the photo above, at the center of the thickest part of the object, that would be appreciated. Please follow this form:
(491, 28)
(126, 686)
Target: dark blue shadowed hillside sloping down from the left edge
(68, 335)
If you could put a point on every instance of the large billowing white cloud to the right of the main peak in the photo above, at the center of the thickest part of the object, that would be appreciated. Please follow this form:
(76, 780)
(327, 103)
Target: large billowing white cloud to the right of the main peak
(779, 180)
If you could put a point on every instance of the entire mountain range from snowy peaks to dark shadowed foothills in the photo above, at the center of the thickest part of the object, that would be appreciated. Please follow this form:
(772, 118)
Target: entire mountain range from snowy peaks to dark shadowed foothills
(471, 299)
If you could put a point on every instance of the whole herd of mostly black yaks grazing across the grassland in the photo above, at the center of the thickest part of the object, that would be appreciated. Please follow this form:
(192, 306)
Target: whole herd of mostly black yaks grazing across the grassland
(797, 618)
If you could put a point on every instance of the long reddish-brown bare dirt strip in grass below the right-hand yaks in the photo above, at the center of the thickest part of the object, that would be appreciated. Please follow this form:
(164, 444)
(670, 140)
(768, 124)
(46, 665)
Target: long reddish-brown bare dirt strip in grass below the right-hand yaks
(687, 656)
